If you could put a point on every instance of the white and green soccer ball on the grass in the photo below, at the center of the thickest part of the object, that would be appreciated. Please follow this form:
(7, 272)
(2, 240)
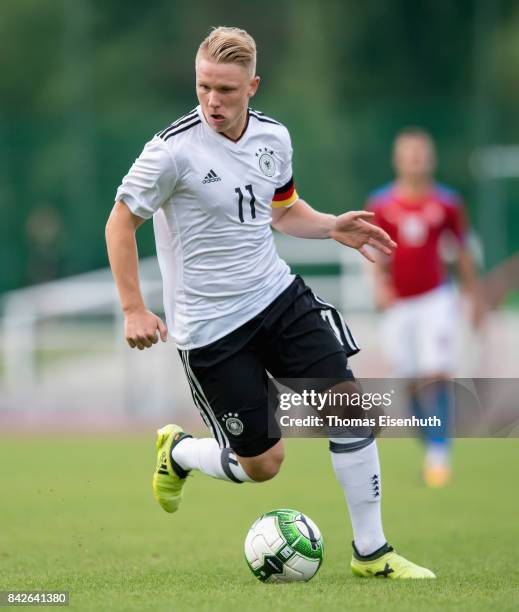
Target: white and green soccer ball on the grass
(284, 546)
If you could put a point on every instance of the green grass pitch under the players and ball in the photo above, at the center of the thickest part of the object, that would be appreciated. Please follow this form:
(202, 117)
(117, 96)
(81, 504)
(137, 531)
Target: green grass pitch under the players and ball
(77, 514)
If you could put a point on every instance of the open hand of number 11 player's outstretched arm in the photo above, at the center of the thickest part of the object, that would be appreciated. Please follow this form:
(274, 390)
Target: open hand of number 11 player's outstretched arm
(353, 229)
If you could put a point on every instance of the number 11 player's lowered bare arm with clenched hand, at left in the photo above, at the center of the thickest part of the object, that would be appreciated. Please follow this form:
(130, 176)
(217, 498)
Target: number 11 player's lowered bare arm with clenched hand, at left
(140, 325)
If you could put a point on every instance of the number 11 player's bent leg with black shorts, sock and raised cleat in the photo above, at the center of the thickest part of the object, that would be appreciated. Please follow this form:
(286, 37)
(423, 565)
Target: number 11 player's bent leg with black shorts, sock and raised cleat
(231, 396)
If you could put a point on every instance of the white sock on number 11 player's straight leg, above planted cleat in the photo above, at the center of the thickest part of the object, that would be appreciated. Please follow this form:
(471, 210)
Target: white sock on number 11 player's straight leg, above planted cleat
(358, 472)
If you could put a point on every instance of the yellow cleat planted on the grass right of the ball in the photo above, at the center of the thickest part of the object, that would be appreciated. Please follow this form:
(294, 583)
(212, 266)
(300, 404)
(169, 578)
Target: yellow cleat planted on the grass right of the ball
(386, 563)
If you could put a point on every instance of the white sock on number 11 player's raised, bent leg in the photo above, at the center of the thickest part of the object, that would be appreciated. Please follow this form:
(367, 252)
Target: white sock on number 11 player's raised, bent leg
(205, 455)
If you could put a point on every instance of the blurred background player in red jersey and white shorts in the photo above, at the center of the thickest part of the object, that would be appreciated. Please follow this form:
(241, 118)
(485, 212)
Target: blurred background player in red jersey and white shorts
(412, 287)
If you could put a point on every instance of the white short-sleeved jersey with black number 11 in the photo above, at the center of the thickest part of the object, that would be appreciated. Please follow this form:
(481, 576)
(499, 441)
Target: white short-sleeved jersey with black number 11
(211, 200)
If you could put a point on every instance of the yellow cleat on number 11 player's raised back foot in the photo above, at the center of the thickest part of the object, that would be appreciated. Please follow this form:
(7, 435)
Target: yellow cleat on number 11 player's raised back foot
(169, 477)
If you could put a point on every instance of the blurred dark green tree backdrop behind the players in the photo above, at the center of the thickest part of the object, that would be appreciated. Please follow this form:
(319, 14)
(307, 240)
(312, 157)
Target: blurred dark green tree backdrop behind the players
(86, 82)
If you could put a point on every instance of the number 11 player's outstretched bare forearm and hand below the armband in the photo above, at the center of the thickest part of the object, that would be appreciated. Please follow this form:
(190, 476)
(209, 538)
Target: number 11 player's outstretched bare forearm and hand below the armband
(351, 229)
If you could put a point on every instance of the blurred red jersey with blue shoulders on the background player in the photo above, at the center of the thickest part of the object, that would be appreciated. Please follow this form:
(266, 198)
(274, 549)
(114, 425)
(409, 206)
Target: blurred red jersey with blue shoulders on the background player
(416, 226)
